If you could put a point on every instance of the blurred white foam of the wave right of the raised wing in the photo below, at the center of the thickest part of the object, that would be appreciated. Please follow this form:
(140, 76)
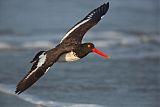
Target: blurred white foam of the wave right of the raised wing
(115, 38)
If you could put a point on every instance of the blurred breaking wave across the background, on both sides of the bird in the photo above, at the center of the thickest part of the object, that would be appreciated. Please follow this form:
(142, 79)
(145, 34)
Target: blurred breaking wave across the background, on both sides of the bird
(100, 39)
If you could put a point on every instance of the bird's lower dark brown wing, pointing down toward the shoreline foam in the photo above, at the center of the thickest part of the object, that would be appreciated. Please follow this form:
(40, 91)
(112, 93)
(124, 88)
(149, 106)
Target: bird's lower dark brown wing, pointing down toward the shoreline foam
(39, 68)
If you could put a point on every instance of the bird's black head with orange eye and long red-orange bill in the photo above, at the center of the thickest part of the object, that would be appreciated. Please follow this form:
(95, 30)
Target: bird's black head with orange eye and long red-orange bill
(89, 47)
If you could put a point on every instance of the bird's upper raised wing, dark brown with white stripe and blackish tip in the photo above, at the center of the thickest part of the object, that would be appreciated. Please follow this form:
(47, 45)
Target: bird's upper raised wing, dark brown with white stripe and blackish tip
(76, 33)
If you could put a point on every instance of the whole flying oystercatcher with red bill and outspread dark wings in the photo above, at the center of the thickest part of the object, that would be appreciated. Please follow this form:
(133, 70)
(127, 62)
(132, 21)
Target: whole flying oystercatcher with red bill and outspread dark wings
(69, 49)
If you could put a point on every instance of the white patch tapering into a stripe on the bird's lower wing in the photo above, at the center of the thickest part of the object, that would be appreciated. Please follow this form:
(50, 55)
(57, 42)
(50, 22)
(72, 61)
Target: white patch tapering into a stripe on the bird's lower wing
(40, 63)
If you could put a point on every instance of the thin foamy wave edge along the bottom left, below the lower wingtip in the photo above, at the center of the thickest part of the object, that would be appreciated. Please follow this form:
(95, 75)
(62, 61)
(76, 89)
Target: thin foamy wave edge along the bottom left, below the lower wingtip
(9, 89)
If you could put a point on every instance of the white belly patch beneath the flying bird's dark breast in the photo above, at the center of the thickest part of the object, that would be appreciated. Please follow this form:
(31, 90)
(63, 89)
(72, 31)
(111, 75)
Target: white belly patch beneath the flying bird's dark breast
(68, 57)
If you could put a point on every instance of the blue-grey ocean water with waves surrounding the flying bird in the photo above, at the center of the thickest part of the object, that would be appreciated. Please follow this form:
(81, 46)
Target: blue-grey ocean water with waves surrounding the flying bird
(129, 33)
